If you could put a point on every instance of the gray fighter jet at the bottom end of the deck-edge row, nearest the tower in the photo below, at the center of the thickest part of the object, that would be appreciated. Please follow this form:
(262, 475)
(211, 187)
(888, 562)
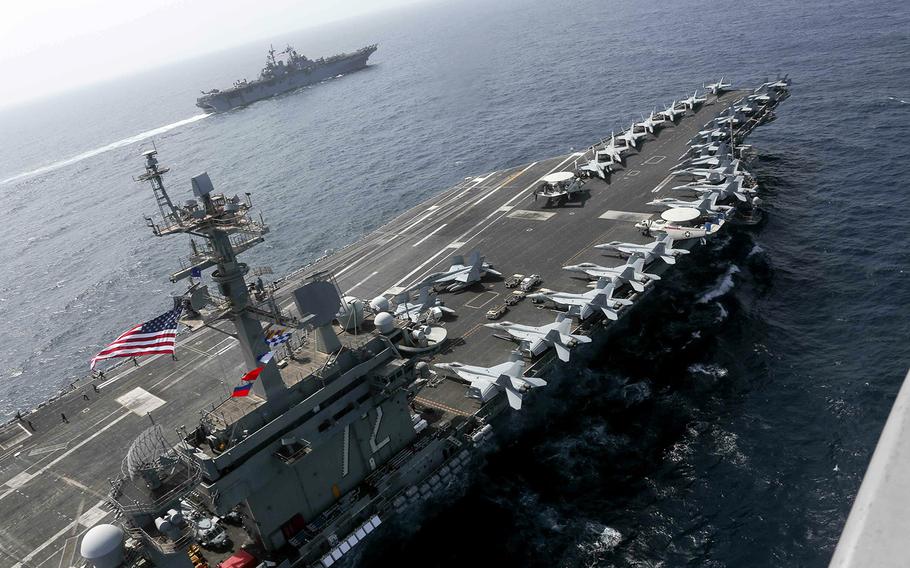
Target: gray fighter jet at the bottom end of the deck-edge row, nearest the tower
(485, 382)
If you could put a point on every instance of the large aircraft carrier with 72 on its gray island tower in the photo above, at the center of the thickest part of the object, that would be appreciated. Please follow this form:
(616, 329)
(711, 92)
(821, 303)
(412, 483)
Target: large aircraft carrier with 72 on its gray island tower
(361, 414)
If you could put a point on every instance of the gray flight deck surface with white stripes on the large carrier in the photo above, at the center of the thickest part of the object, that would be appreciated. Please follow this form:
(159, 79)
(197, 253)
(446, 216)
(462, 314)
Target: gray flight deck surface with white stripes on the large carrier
(53, 480)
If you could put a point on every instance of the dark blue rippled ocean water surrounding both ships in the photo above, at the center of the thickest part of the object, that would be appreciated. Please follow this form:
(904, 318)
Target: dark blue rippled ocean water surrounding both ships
(728, 425)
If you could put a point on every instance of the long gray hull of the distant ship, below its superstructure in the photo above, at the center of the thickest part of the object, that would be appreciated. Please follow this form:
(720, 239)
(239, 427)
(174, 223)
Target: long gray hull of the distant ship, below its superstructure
(239, 97)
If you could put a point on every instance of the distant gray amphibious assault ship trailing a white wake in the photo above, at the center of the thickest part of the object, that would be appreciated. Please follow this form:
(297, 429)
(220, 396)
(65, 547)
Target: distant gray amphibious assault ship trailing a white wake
(282, 74)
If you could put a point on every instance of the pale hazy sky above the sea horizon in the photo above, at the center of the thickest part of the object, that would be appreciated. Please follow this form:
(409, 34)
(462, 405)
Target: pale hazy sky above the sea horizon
(48, 46)
